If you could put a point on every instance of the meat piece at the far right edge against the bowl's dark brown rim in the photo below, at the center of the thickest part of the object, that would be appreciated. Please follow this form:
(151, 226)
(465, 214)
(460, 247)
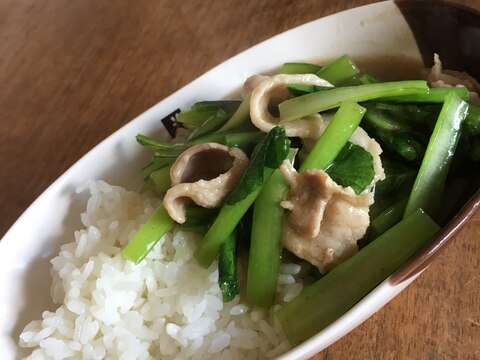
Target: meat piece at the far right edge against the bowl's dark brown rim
(439, 77)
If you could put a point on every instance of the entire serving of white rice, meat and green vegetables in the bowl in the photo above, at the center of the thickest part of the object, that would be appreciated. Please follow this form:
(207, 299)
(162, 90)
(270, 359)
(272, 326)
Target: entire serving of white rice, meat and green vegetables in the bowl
(263, 220)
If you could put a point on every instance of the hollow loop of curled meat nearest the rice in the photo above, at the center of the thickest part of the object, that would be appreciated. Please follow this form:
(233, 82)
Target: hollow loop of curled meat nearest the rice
(204, 173)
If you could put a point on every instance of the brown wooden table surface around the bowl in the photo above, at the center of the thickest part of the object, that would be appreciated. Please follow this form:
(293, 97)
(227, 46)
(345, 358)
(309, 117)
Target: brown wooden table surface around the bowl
(72, 72)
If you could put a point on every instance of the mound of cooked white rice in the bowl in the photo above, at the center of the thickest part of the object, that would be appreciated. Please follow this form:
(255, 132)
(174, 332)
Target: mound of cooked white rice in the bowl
(166, 307)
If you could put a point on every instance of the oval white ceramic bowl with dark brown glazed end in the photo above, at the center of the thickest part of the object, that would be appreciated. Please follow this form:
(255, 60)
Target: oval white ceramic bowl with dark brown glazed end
(379, 30)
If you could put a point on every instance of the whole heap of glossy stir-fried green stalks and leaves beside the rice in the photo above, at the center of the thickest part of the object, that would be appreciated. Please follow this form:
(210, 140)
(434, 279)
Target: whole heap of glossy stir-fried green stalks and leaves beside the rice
(419, 129)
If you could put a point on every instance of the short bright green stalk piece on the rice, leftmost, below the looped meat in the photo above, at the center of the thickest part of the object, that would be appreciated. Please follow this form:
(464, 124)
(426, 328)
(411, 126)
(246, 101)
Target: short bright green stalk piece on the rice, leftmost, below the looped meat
(148, 235)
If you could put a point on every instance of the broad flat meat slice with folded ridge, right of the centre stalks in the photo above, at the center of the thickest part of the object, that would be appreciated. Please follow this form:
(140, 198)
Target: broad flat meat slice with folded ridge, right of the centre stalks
(325, 220)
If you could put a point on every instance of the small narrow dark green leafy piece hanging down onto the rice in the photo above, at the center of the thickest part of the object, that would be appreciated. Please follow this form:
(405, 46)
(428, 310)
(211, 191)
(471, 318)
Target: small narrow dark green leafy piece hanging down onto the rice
(227, 268)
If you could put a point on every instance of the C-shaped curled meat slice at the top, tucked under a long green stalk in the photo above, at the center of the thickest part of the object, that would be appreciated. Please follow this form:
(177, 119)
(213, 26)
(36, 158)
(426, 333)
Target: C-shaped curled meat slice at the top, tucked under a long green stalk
(269, 91)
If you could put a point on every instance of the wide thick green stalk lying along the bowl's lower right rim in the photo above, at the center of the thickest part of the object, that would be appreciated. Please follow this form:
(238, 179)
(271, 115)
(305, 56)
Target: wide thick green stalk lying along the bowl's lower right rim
(334, 294)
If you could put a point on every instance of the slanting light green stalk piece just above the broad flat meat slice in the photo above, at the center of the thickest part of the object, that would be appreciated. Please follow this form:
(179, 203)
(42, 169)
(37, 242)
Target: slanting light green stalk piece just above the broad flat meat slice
(335, 136)
